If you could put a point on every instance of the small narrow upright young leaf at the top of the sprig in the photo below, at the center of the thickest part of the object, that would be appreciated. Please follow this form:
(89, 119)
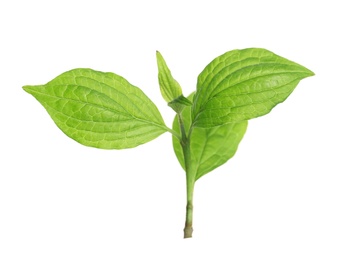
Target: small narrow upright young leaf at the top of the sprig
(169, 87)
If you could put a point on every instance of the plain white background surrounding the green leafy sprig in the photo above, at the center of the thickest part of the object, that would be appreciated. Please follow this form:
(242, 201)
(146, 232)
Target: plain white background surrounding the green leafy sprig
(280, 197)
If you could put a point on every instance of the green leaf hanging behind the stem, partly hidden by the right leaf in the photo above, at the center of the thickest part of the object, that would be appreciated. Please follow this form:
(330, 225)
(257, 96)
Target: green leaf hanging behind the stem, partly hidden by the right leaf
(210, 147)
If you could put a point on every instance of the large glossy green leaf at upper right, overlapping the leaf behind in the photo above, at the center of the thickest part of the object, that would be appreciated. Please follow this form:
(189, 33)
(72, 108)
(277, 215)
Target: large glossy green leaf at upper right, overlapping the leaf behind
(243, 84)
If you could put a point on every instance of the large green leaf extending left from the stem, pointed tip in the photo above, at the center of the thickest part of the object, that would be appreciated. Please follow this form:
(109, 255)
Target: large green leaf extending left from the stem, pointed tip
(100, 109)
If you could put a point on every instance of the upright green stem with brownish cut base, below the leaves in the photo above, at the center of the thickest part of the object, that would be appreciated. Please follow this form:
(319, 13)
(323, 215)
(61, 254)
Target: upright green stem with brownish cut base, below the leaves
(190, 179)
